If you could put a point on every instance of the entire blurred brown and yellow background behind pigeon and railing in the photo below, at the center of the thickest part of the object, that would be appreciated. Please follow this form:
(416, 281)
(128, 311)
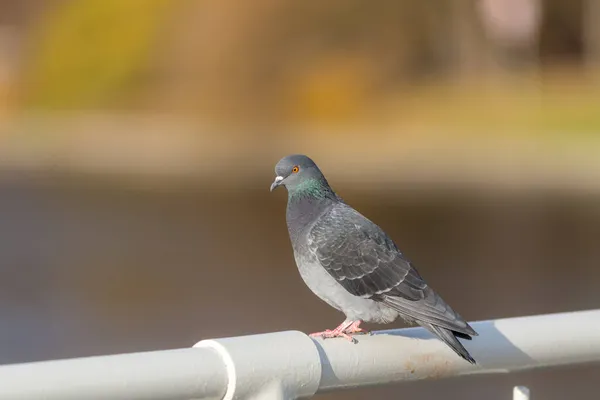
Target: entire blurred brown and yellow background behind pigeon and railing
(138, 139)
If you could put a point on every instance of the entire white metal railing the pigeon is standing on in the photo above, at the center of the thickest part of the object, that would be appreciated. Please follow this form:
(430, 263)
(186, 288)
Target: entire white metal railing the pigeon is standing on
(288, 365)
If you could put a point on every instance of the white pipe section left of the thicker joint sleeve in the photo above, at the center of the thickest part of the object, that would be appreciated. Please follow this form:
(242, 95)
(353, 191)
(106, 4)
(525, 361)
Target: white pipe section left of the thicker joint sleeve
(157, 375)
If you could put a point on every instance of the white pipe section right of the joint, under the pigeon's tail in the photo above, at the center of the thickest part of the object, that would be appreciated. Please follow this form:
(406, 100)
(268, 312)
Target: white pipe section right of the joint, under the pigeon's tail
(502, 346)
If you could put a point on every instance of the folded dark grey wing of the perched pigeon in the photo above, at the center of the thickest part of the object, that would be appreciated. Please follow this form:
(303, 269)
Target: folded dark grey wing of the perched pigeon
(367, 263)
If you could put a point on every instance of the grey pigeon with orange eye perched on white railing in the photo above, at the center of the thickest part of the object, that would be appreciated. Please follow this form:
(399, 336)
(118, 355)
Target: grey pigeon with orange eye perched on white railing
(354, 266)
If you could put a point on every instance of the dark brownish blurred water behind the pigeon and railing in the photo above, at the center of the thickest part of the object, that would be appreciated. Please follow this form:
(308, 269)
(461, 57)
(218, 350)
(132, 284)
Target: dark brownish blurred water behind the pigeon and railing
(90, 267)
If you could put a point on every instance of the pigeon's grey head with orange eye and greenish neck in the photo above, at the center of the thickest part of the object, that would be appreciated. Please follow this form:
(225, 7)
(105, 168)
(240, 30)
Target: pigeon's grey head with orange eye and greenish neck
(299, 174)
